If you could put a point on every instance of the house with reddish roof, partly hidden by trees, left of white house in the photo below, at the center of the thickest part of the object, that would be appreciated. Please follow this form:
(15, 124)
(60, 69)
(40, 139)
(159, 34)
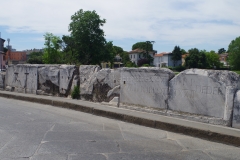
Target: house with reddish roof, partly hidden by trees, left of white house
(137, 54)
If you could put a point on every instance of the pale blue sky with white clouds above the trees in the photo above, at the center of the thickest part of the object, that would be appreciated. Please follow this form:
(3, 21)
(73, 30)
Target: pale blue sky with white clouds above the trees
(202, 24)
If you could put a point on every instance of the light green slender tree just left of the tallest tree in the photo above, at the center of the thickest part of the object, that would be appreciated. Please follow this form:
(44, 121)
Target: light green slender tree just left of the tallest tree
(52, 50)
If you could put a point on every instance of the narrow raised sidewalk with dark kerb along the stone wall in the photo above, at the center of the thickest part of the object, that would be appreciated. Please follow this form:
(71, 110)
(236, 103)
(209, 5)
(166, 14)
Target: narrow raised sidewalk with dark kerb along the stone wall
(226, 135)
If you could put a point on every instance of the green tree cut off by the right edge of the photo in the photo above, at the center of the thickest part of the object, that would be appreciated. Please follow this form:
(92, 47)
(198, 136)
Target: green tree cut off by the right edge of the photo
(234, 54)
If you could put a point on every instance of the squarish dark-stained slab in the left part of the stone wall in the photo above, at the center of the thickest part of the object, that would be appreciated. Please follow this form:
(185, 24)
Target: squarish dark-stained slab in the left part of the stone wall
(49, 79)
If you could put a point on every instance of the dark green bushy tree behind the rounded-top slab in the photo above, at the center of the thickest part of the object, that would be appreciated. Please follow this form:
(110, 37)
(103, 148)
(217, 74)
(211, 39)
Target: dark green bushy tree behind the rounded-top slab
(196, 59)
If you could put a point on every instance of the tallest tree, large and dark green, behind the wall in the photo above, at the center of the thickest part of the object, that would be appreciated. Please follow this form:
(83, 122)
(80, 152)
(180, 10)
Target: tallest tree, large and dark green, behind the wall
(88, 37)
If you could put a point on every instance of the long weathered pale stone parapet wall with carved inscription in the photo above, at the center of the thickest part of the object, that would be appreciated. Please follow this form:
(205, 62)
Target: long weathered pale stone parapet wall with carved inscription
(210, 96)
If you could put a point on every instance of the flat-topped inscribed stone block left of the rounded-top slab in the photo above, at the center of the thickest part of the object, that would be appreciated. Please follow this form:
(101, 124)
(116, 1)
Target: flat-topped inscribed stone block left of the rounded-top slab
(145, 86)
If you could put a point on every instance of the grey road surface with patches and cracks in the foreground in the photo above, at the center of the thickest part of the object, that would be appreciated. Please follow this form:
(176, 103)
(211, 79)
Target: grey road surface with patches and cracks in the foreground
(34, 131)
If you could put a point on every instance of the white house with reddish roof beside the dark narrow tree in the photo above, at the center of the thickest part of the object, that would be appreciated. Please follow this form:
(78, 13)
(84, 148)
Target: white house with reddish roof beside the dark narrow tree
(164, 59)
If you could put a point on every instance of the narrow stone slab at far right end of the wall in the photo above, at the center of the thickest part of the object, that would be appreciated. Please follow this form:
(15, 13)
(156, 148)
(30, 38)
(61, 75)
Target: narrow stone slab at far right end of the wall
(236, 111)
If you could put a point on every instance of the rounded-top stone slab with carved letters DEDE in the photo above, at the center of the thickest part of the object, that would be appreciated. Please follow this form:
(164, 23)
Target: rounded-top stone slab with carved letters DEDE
(204, 92)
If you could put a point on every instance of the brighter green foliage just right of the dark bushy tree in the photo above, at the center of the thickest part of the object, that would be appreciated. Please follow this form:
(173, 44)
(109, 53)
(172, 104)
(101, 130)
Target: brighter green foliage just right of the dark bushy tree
(212, 60)
